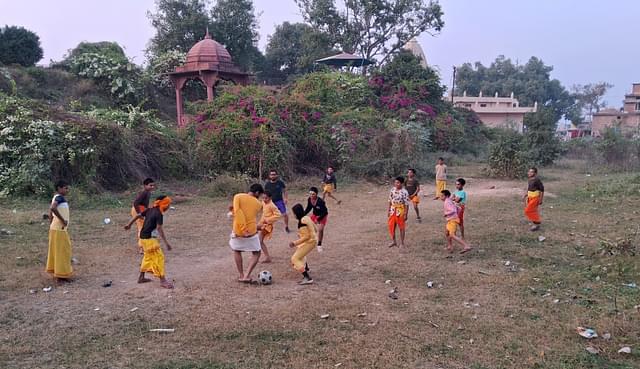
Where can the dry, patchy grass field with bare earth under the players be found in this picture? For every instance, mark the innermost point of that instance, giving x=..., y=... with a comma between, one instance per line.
x=514, y=302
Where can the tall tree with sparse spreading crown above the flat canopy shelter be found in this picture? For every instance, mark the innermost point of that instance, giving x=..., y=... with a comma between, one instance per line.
x=373, y=28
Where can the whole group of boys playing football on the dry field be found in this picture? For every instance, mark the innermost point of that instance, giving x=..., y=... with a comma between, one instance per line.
x=250, y=234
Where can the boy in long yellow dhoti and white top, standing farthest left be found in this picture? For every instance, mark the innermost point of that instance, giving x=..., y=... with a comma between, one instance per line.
x=59, y=255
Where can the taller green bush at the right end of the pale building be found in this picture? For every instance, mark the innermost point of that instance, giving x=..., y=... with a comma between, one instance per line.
x=542, y=145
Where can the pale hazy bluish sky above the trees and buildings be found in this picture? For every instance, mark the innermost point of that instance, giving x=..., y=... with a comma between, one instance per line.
x=584, y=40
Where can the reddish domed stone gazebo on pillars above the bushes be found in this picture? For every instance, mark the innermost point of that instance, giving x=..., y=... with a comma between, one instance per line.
x=210, y=62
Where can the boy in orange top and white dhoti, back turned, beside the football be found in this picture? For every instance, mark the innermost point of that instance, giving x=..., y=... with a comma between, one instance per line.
x=244, y=237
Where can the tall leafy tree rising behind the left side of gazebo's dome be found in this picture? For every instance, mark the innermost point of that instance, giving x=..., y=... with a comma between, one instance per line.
x=179, y=25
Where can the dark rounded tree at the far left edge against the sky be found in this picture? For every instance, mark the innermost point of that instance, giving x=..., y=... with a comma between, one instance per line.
x=19, y=46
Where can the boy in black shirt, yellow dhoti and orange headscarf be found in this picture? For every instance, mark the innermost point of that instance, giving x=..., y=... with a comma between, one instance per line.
x=153, y=259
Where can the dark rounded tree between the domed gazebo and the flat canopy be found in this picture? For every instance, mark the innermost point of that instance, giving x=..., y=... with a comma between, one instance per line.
x=292, y=50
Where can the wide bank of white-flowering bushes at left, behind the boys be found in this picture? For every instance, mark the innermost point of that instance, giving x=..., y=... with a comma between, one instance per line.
x=38, y=146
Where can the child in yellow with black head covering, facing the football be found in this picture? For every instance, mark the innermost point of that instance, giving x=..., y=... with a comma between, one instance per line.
x=304, y=244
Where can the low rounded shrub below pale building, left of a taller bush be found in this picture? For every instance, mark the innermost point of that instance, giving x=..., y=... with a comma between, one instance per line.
x=507, y=155
